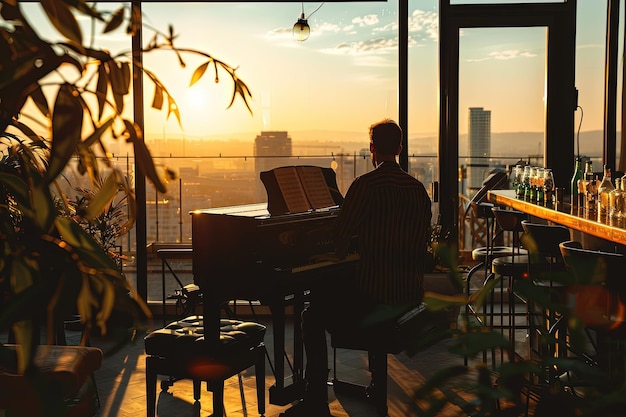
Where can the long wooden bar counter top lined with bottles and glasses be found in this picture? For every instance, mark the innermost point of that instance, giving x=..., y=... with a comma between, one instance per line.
x=563, y=214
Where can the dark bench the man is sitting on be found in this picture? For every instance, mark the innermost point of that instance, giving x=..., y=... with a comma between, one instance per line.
x=393, y=337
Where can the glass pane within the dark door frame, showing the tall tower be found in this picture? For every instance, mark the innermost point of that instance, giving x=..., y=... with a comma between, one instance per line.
x=501, y=100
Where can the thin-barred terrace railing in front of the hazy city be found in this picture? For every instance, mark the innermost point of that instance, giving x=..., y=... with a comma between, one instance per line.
x=218, y=181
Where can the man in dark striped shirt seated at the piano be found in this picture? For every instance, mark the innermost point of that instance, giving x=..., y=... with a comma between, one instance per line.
x=390, y=212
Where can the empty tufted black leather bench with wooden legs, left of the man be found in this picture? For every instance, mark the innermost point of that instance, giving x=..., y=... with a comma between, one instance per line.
x=180, y=351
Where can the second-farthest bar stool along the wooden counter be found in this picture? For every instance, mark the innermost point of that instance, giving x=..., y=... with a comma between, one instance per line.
x=508, y=268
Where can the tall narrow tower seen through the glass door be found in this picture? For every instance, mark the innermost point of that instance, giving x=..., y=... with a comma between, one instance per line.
x=479, y=144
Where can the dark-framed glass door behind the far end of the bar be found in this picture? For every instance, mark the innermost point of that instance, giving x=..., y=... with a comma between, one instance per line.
x=504, y=68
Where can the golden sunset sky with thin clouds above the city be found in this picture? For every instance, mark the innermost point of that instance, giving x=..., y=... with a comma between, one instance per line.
x=344, y=77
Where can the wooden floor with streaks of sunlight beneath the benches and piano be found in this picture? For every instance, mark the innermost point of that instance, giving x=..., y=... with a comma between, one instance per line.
x=121, y=385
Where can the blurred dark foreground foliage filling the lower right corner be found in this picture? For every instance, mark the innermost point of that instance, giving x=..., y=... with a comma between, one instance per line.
x=569, y=385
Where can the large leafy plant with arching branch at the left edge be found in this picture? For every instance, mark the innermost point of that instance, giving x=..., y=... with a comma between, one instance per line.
x=78, y=92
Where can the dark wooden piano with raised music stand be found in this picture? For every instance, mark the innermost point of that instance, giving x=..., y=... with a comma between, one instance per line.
x=261, y=252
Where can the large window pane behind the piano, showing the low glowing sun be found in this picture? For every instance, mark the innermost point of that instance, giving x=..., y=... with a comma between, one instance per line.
x=312, y=101
